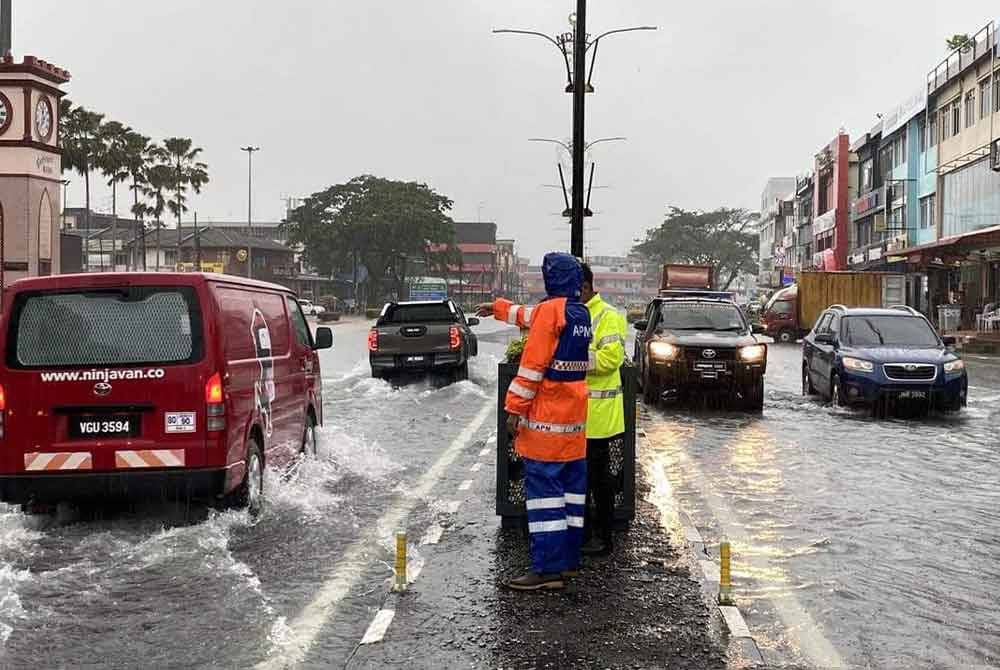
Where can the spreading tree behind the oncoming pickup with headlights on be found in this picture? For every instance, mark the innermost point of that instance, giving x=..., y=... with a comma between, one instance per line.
x=723, y=238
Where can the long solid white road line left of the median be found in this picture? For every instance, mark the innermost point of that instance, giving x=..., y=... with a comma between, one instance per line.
x=309, y=623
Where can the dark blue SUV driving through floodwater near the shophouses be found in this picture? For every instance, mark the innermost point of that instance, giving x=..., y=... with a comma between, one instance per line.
x=882, y=357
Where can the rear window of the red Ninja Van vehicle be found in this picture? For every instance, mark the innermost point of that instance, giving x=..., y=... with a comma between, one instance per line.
x=128, y=326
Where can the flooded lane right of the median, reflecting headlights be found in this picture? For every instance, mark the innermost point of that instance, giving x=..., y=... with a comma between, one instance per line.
x=857, y=543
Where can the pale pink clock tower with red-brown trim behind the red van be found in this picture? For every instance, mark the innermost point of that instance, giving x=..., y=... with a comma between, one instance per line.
x=30, y=167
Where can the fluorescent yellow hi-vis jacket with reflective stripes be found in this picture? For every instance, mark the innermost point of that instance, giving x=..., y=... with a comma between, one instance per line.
x=606, y=407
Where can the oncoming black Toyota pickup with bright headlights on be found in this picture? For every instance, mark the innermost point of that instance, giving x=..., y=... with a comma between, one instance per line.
x=694, y=344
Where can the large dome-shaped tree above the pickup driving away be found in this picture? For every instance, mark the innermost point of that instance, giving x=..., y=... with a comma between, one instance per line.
x=377, y=222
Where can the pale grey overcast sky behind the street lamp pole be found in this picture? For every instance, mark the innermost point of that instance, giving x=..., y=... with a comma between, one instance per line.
x=724, y=95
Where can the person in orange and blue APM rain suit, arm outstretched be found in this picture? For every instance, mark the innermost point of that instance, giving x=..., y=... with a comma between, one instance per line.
x=546, y=406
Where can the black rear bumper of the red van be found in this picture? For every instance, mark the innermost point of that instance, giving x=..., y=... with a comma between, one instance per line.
x=155, y=485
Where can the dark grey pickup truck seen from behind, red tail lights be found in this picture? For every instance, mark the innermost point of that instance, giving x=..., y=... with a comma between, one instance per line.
x=422, y=336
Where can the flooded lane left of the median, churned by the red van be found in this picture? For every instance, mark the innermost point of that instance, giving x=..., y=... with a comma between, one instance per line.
x=172, y=586
